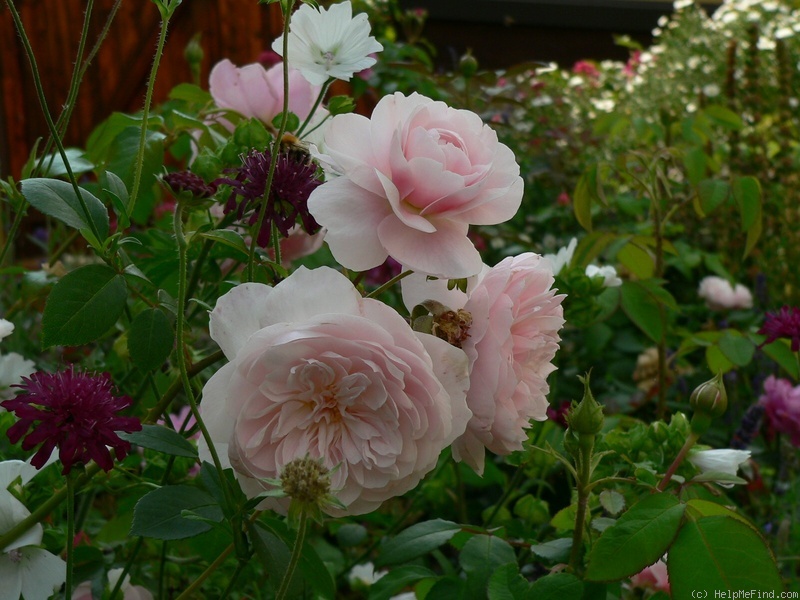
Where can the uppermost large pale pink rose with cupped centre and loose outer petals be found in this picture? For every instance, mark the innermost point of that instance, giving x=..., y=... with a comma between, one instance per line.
x=412, y=179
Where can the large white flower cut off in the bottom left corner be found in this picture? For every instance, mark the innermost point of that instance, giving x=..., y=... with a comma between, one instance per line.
x=24, y=569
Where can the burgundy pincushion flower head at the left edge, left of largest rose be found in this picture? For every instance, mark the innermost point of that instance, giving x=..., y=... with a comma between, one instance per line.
x=76, y=412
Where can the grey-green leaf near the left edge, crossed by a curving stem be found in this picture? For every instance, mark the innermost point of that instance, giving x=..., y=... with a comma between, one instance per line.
x=57, y=199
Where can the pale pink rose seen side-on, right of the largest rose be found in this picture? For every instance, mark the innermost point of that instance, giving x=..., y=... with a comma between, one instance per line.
x=516, y=316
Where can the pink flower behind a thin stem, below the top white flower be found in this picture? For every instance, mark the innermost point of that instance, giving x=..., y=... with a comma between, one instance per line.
x=254, y=91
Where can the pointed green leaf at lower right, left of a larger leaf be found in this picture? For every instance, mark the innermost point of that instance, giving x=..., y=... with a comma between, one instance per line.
x=639, y=538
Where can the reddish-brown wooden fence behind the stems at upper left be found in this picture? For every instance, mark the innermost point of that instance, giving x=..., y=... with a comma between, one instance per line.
x=116, y=79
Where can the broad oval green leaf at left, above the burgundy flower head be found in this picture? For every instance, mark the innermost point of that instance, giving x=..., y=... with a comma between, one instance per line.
x=83, y=305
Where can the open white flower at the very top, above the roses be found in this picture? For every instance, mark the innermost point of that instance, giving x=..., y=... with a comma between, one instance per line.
x=329, y=43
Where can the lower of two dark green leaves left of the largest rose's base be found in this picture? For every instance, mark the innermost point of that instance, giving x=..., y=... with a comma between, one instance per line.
x=157, y=514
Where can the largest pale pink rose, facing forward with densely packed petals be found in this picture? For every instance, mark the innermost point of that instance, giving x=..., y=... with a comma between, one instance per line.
x=316, y=370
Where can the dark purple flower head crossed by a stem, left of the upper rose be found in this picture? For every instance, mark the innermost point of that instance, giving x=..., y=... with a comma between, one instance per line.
x=292, y=183
